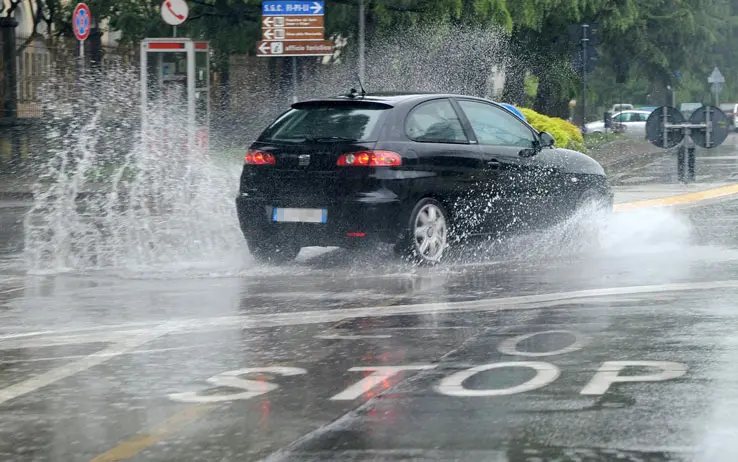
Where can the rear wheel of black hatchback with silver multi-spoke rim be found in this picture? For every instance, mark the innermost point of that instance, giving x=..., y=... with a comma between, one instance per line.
x=427, y=233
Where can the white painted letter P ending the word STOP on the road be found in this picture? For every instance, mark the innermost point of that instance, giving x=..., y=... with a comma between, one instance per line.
x=610, y=370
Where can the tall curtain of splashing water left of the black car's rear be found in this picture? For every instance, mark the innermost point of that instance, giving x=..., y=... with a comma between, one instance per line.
x=111, y=197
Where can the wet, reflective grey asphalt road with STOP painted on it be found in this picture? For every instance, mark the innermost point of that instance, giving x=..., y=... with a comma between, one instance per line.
x=531, y=350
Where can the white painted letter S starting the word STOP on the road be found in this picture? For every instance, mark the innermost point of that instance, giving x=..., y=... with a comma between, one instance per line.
x=232, y=379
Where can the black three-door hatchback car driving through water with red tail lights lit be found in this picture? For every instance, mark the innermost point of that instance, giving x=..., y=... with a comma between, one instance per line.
x=420, y=171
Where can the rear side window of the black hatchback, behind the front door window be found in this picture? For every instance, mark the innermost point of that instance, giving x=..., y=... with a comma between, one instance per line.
x=435, y=122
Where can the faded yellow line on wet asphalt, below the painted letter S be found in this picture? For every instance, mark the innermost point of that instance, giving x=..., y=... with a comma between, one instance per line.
x=133, y=446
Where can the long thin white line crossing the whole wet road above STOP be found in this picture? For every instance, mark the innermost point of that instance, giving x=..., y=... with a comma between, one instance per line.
x=525, y=302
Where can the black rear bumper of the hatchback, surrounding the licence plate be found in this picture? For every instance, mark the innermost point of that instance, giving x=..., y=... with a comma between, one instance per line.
x=375, y=220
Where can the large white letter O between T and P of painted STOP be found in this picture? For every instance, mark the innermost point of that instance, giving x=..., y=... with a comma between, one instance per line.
x=453, y=385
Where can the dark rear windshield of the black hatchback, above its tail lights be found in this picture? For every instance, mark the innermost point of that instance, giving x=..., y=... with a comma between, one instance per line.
x=328, y=120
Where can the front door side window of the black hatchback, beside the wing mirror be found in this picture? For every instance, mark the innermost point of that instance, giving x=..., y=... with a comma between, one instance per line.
x=494, y=126
